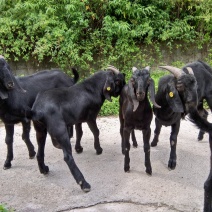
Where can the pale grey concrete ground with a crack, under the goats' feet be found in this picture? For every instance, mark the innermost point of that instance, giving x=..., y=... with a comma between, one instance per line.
x=24, y=189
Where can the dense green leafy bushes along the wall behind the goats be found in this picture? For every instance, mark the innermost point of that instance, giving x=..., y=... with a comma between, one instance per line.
x=95, y=33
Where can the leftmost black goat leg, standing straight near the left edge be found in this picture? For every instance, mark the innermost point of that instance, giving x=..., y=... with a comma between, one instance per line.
x=9, y=141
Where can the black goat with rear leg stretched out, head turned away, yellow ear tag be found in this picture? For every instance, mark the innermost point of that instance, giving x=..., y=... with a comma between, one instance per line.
x=70, y=106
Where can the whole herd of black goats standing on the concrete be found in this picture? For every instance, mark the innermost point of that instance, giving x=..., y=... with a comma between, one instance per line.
x=49, y=99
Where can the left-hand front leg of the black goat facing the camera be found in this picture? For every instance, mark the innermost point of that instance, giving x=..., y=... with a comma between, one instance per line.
x=126, y=137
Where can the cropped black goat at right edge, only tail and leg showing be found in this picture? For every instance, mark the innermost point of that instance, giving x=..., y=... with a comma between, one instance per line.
x=205, y=126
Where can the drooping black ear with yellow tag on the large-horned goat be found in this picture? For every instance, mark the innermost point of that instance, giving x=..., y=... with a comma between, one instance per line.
x=173, y=99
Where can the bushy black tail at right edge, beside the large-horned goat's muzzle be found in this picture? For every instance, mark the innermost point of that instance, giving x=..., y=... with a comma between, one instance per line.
x=199, y=121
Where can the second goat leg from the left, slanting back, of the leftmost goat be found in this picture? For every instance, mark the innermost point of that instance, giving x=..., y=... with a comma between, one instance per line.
x=26, y=138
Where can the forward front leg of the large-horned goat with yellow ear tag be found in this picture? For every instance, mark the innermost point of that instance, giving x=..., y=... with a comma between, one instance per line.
x=173, y=144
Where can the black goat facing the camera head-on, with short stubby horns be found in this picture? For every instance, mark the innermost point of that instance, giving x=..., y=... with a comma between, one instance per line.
x=135, y=112
